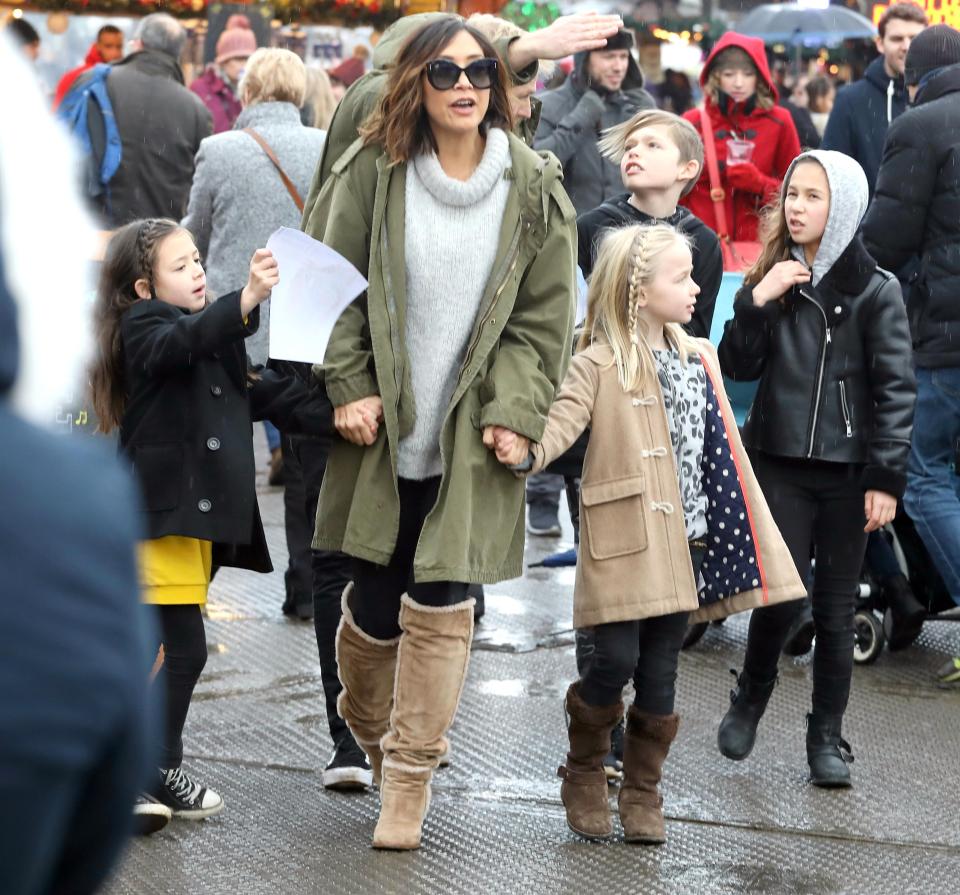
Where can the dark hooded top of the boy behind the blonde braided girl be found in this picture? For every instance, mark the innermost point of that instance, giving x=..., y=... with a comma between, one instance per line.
x=707, y=258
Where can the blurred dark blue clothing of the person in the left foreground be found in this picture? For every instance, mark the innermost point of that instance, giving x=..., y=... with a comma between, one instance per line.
x=74, y=653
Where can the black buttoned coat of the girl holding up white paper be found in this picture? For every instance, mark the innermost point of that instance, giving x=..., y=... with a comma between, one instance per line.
x=187, y=424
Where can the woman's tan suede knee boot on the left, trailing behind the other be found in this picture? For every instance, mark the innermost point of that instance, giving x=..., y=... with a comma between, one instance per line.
x=367, y=668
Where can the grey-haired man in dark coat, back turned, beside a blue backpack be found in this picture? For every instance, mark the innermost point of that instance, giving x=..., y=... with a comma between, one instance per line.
x=161, y=124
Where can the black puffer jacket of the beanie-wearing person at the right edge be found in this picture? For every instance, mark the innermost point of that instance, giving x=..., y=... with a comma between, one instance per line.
x=916, y=211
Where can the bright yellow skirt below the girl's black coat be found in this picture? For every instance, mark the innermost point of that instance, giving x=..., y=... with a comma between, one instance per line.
x=175, y=570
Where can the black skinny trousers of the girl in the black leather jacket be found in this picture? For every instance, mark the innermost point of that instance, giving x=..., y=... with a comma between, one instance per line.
x=819, y=505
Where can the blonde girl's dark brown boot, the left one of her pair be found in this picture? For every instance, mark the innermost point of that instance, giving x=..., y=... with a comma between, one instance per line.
x=584, y=788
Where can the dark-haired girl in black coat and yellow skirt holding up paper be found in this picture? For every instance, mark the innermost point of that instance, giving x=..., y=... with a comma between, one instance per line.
x=171, y=374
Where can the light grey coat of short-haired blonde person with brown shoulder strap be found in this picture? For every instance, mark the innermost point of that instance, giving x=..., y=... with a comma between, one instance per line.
x=238, y=198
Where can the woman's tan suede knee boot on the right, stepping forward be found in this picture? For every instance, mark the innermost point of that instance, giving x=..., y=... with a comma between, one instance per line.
x=431, y=670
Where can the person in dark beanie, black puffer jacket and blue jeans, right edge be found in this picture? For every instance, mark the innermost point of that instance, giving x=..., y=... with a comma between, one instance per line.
x=916, y=212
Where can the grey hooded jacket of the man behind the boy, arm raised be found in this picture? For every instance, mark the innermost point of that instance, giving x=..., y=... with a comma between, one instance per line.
x=571, y=119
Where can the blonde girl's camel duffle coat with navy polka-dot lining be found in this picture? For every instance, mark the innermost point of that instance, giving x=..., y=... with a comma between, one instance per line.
x=634, y=559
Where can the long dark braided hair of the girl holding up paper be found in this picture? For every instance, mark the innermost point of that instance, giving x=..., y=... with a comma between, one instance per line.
x=131, y=256
